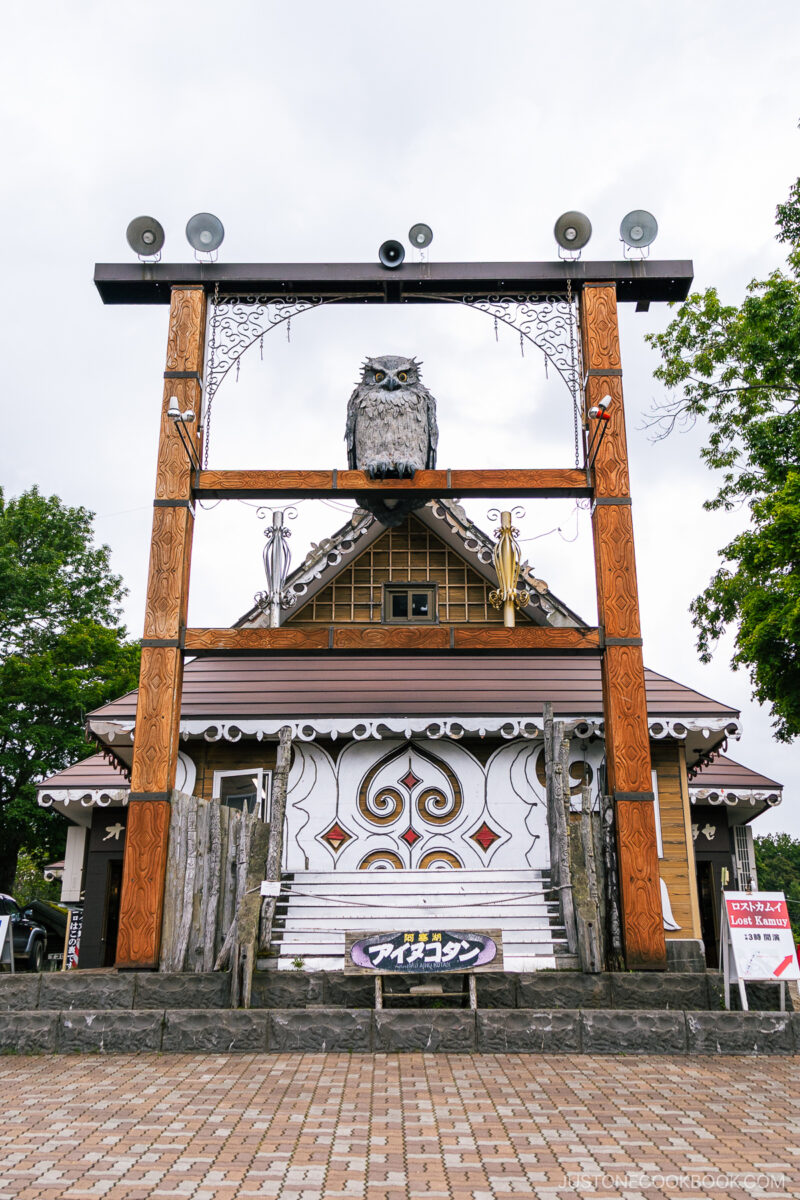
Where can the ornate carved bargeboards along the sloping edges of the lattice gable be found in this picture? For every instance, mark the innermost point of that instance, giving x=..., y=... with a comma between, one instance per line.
x=449, y=521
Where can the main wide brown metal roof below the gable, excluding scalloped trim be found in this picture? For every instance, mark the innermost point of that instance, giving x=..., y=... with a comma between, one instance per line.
x=420, y=685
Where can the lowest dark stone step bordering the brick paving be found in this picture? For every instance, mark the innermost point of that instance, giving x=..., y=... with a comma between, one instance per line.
x=358, y=1030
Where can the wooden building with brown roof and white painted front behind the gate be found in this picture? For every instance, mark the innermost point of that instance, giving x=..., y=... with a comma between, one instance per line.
x=418, y=760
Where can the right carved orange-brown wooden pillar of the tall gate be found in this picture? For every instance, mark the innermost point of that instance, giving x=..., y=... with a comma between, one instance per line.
x=628, y=741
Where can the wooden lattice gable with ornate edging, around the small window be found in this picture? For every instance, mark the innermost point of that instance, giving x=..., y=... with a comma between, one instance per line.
x=344, y=575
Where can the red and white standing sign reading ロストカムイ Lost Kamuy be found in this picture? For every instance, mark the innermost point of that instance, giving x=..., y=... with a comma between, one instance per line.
x=761, y=937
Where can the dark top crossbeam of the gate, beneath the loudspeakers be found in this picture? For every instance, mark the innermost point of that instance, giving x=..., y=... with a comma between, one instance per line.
x=637, y=281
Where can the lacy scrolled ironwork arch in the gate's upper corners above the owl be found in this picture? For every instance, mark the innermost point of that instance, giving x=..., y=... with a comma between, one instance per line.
x=550, y=322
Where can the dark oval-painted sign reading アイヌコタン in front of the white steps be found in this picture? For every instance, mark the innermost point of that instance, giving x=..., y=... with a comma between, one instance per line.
x=424, y=951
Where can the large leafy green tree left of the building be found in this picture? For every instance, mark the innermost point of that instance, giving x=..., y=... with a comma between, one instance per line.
x=63, y=652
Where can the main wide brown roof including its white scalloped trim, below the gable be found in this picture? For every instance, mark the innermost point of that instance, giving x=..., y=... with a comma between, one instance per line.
x=436, y=695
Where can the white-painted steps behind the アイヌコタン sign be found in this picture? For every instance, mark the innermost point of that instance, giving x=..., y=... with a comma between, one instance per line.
x=317, y=910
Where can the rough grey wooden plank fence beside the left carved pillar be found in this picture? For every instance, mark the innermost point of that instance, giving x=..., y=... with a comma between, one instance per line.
x=212, y=850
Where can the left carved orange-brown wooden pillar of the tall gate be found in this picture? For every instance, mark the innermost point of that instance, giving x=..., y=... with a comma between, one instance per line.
x=155, y=745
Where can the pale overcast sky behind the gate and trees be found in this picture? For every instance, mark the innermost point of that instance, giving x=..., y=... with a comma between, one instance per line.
x=316, y=131
